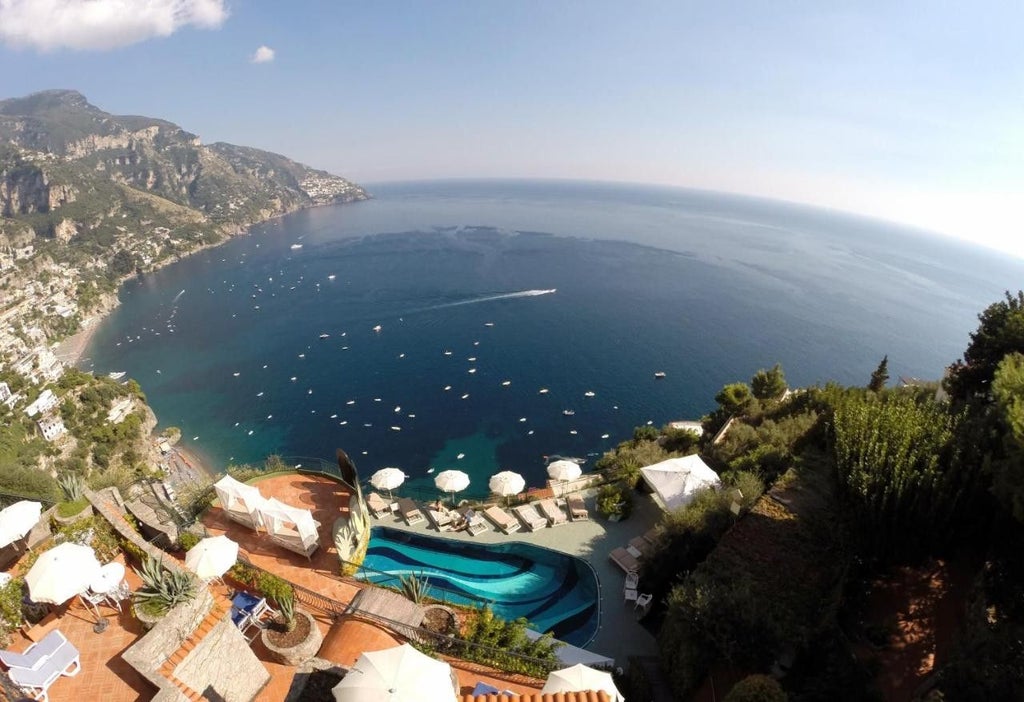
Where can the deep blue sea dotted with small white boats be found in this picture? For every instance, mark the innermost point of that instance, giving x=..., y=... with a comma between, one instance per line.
x=488, y=326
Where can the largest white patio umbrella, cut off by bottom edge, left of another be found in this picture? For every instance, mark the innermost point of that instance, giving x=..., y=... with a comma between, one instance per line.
x=399, y=675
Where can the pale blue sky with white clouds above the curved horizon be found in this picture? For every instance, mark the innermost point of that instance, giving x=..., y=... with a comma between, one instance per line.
x=911, y=112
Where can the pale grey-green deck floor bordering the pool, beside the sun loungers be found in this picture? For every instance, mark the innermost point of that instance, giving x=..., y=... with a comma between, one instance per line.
x=620, y=636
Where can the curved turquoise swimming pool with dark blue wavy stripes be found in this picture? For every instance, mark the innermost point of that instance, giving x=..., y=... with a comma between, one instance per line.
x=553, y=592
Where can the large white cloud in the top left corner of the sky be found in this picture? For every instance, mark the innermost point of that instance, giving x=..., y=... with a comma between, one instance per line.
x=50, y=25
